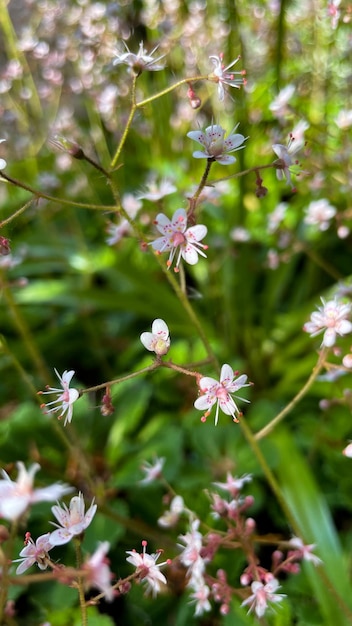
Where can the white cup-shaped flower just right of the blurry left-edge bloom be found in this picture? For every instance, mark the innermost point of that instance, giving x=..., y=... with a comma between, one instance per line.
x=72, y=521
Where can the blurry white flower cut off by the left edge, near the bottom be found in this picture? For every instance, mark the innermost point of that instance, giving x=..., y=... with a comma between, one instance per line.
x=17, y=496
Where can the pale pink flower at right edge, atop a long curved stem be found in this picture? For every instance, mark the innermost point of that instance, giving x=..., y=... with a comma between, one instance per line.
x=330, y=318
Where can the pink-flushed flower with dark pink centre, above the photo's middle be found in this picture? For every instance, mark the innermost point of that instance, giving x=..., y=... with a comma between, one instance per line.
x=178, y=238
